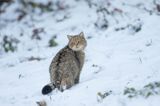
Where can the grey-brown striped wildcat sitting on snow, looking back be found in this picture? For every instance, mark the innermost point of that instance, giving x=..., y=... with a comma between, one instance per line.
x=66, y=66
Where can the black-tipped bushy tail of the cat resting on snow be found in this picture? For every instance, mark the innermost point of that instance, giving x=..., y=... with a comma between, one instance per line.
x=48, y=88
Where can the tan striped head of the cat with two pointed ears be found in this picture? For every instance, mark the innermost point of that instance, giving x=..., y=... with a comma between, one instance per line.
x=77, y=42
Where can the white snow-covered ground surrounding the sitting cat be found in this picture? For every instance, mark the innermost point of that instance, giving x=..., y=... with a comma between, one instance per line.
x=122, y=53
